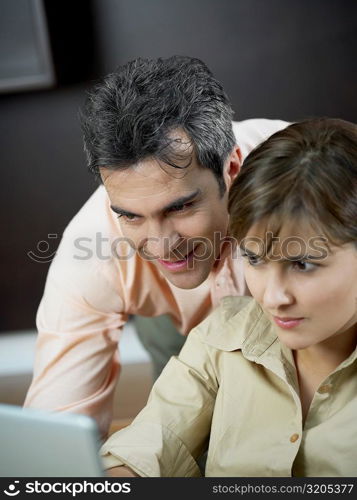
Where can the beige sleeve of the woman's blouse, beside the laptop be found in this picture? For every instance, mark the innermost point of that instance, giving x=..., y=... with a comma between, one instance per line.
x=172, y=431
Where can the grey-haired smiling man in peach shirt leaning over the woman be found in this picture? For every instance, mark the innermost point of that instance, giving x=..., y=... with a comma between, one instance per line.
x=158, y=134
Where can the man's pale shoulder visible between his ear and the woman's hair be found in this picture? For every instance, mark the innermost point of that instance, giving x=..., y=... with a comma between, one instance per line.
x=250, y=133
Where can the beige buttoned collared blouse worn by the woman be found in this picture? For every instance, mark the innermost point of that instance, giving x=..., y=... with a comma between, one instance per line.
x=234, y=389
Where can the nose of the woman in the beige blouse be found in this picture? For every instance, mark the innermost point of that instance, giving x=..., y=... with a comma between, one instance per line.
x=277, y=292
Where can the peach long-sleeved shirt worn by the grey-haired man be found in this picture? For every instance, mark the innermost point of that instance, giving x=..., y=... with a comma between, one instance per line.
x=94, y=282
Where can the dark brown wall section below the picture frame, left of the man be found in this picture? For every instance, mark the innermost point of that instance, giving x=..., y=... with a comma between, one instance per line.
x=43, y=183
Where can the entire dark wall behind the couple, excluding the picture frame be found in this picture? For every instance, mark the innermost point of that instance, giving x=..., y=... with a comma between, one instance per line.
x=276, y=58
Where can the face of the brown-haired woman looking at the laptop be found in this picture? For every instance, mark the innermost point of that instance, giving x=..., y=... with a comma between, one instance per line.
x=309, y=292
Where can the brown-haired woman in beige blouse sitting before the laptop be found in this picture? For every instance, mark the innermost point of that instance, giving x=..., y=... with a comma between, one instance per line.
x=268, y=384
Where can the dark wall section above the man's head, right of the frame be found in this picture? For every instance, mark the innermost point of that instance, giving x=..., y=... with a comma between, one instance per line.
x=276, y=58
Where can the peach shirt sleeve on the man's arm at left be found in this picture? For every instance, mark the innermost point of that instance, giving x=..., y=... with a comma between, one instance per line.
x=79, y=321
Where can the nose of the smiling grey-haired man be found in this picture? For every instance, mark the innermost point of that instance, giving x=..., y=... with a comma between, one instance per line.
x=161, y=242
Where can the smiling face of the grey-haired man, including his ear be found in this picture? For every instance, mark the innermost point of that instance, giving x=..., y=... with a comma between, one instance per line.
x=173, y=217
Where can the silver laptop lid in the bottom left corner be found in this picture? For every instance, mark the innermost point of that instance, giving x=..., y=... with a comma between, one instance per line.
x=36, y=443
